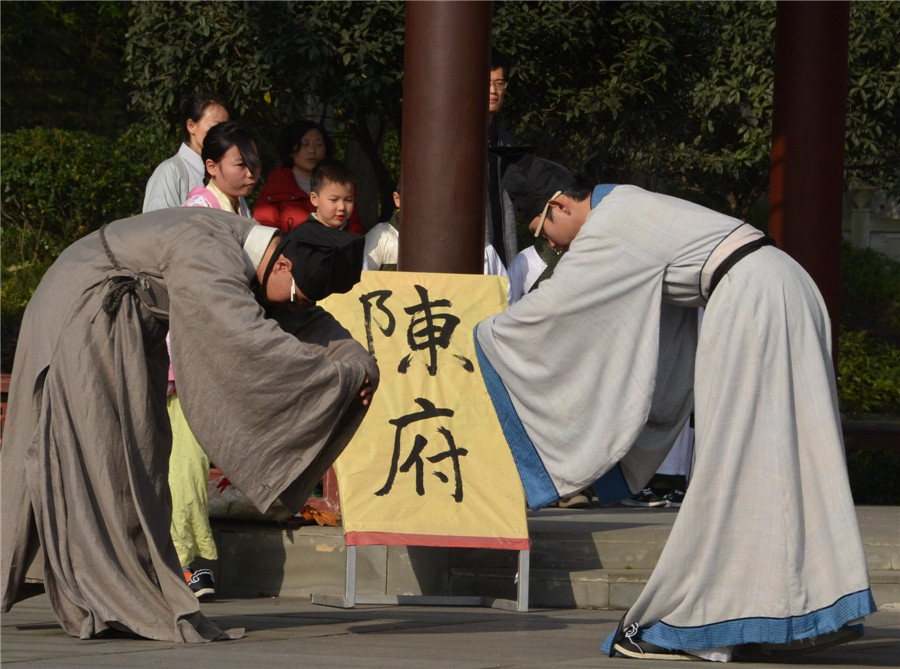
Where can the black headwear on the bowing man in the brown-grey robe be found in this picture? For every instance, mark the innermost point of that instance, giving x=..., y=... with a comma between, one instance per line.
x=323, y=260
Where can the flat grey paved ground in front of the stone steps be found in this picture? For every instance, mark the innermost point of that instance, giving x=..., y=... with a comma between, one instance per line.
x=287, y=632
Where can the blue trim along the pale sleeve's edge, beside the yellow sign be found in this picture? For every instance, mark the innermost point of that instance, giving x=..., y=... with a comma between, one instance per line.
x=539, y=488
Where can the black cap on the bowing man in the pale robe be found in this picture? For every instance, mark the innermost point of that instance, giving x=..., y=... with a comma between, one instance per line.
x=532, y=181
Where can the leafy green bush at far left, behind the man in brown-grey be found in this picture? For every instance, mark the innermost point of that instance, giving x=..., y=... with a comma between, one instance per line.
x=58, y=186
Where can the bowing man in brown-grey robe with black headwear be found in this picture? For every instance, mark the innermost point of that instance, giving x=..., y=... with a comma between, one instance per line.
x=86, y=506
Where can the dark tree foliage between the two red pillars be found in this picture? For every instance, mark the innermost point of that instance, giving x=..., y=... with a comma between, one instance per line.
x=666, y=95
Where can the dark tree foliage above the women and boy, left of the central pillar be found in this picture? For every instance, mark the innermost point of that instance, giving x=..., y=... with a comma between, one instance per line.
x=275, y=62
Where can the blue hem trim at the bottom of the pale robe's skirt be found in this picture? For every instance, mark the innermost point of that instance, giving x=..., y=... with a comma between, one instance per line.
x=759, y=630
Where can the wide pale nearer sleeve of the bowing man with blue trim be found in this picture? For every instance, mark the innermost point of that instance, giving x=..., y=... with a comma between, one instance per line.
x=578, y=358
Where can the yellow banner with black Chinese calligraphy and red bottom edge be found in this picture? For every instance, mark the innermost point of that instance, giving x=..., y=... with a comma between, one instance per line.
x=429, y=466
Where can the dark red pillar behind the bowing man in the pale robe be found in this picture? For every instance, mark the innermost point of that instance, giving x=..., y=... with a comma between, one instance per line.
x=807, y=180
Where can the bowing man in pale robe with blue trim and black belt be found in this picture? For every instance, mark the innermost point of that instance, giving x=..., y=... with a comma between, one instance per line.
x=594, y=374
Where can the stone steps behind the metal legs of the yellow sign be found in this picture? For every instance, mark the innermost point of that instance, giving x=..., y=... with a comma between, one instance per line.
x=595, y=558
